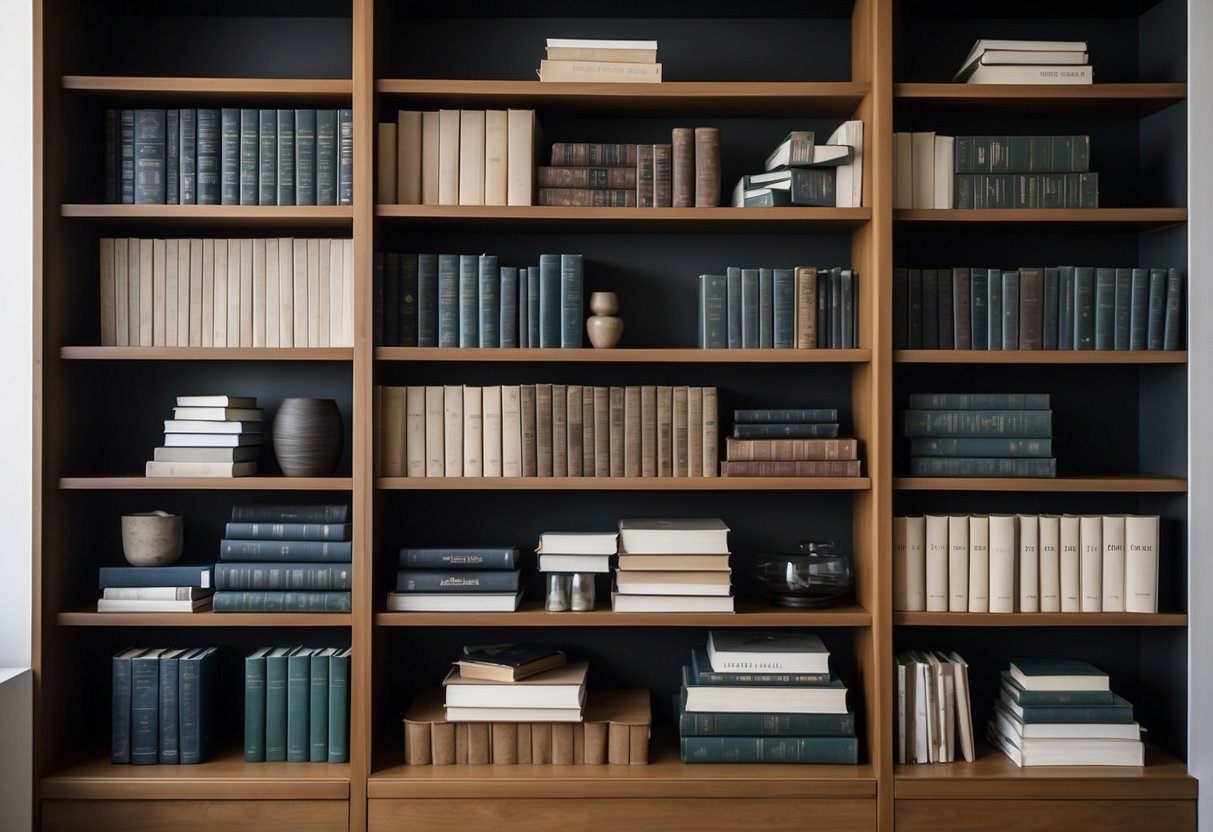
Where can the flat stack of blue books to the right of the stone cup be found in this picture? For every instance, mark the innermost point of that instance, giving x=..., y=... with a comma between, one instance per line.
x=286, y=559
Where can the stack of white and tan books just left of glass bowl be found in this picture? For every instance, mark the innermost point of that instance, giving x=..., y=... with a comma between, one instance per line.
x=680, y=566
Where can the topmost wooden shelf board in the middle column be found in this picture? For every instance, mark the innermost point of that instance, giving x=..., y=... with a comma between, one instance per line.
x=818, y=100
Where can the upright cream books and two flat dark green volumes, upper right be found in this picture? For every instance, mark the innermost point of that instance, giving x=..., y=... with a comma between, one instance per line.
x=936, y=172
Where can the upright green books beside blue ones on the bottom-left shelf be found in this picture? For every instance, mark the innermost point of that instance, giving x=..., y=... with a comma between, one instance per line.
x=297, y=705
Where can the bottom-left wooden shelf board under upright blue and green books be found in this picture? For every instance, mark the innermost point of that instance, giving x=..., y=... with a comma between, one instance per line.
x=226, y=777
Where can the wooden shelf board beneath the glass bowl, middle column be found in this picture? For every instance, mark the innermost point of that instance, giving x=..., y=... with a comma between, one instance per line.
x=751, y=613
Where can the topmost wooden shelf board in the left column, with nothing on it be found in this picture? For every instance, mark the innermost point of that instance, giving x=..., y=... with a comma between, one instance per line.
x=150, y=88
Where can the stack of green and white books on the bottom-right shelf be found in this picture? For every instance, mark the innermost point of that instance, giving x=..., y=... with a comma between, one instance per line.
x=1063, y=713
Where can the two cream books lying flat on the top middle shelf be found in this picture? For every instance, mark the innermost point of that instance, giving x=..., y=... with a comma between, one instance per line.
x=601, y=61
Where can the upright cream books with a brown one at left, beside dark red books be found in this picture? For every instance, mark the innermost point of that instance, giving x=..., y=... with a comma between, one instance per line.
x=454, y=157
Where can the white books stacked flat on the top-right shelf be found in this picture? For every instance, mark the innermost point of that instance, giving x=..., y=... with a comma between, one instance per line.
x=994, y=61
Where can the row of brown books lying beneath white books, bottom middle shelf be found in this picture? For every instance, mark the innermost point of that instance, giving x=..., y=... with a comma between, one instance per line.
x=616, y=731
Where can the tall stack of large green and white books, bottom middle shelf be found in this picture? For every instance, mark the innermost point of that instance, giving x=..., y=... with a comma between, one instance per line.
x=765, y=698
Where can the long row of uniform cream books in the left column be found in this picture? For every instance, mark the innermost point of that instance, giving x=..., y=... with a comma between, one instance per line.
x=227, y=293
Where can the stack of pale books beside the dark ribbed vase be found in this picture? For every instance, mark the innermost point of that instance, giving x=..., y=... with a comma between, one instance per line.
x=209, y=436
